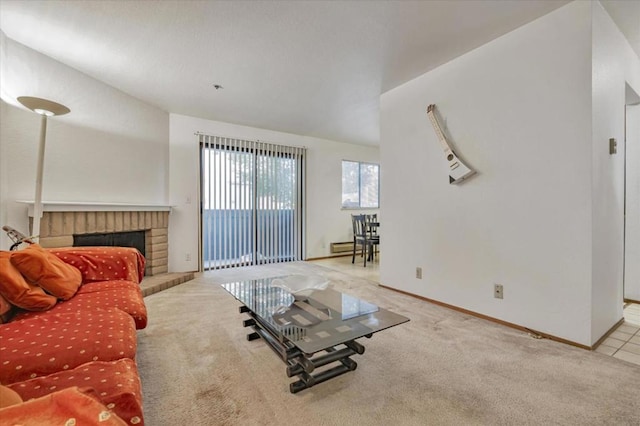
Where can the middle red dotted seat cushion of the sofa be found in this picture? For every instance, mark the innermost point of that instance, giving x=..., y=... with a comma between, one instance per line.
x=52, y=342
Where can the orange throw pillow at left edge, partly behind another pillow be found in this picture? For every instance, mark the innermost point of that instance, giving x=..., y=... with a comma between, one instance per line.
x=18, y=291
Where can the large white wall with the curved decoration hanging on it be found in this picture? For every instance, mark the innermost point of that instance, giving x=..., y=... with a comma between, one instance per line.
x=519, y=111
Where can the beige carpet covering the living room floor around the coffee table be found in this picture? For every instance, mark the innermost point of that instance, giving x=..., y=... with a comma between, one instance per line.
x=441, y=368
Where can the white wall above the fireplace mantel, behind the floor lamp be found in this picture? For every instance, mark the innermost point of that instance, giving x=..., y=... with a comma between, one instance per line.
x=111, y=147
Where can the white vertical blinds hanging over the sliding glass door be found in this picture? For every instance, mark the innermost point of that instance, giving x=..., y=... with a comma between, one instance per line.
x=252, y=202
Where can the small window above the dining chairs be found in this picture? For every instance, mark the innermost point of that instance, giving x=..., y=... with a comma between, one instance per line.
x=360, y=185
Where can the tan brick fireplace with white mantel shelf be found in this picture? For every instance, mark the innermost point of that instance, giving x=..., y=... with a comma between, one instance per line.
x=62, y=223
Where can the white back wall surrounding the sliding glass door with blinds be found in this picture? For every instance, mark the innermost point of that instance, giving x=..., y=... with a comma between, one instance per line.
x=326, y=221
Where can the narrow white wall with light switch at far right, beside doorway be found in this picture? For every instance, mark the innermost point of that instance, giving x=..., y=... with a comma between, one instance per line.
x=614, y=64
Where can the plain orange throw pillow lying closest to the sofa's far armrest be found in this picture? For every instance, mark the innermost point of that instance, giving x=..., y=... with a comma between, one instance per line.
x=48, y=271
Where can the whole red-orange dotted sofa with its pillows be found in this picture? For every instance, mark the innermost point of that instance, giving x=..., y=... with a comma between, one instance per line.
x=68, y=321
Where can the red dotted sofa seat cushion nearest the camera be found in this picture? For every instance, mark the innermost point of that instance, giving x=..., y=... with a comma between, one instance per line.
x=115, y=383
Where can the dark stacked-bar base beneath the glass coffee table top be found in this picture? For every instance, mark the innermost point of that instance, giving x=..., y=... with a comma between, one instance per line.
x=300, y=364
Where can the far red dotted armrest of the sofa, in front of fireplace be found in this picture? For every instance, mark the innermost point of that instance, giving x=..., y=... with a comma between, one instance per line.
x=104, y=263
